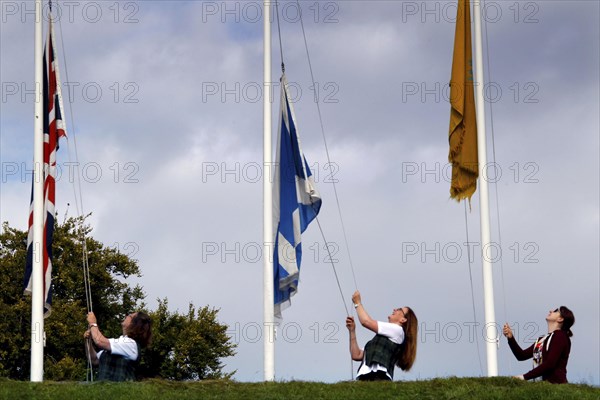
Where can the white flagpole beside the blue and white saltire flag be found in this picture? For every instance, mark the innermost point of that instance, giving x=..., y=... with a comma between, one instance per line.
x=268, y=290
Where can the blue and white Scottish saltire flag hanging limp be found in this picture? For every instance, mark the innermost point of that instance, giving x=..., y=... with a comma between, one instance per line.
x=296, y=202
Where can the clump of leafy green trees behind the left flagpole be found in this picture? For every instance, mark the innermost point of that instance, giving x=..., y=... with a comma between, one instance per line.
x=112, y=299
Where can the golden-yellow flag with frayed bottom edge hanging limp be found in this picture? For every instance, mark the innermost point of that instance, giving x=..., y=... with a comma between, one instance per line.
x=463, y=125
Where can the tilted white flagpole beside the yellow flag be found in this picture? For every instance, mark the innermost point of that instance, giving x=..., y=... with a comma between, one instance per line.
x=491, y=332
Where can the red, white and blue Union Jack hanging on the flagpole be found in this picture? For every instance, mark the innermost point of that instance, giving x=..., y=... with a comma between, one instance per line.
x=54, y=128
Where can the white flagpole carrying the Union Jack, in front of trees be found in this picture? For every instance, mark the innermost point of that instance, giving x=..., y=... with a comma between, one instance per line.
x=37, y=295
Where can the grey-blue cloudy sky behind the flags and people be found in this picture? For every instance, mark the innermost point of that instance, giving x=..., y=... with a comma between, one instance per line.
x=166, y=103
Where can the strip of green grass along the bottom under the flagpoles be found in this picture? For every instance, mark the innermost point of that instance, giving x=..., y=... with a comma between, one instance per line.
x=448, y=388
